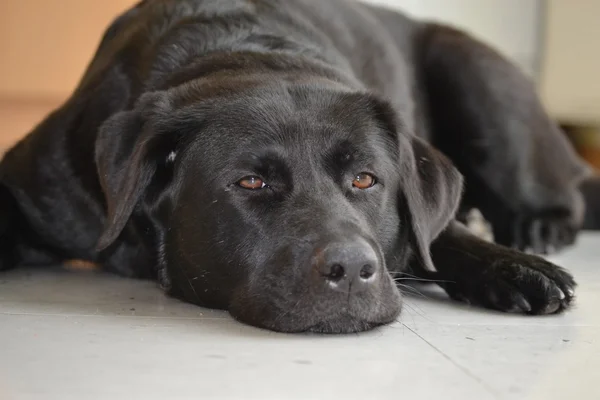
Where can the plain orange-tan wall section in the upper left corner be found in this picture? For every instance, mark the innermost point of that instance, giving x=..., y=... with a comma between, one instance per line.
x=46, y=44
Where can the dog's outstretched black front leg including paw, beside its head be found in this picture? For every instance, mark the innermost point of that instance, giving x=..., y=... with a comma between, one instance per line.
x=482, y=273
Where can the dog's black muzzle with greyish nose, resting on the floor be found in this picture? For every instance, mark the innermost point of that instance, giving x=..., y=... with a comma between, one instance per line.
x=340, y=287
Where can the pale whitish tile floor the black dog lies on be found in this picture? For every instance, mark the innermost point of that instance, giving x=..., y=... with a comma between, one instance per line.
x=84, y=335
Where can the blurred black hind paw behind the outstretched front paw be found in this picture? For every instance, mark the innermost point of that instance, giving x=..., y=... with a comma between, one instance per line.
x=537, y=233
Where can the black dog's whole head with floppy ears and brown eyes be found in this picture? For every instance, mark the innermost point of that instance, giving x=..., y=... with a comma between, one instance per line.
x=285, y=203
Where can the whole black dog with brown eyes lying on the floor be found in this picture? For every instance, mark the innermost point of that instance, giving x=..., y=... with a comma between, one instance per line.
x=276, y=158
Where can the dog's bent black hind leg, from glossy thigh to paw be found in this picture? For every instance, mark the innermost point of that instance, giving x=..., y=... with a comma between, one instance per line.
x=520, y=170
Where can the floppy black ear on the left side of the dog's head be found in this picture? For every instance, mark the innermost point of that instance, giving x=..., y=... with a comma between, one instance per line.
x=128, y=151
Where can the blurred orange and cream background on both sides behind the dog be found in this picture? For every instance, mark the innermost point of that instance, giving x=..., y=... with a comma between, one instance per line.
x=45, y=46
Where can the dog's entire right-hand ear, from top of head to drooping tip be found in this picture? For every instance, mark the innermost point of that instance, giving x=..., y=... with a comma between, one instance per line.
x=430, y=186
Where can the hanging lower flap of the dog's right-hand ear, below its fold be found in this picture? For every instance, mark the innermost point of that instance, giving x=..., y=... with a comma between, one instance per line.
x=432, y=190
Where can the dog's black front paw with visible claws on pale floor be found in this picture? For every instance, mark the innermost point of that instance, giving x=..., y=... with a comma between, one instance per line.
x=517, y=283
